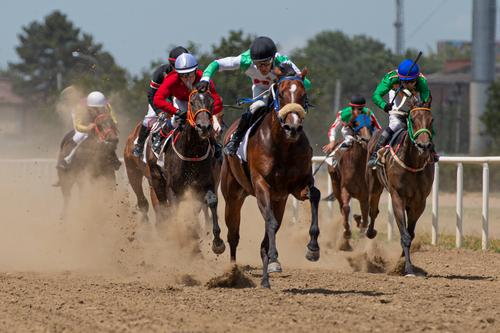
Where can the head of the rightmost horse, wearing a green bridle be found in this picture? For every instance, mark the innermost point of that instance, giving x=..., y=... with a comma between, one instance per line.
x=420, y=123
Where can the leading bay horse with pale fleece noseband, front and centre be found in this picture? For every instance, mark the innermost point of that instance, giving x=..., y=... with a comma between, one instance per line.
x=279, y=163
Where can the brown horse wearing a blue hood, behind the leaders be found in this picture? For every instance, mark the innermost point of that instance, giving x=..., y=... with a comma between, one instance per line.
x=348, y=177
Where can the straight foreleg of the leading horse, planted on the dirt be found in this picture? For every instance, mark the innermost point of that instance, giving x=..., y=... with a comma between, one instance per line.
x=262, y=193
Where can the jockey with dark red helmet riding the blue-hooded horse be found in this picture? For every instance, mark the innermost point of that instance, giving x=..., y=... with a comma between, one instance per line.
x=346, y=116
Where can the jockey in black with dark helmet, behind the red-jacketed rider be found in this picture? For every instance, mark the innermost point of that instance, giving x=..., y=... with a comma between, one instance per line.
x=159, y=74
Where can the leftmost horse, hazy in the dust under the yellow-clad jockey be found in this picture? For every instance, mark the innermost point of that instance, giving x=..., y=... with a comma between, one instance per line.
x=94, y=157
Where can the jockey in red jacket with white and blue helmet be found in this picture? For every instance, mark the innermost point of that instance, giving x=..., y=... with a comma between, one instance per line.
x=179, y=84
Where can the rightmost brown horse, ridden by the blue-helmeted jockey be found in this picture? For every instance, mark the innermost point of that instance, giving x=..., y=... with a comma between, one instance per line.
x=407, y=175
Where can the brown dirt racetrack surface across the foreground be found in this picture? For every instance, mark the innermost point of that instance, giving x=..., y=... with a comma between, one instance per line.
x=462, y=294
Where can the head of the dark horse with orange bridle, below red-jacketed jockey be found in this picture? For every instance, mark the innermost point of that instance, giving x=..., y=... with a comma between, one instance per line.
x=200, y=109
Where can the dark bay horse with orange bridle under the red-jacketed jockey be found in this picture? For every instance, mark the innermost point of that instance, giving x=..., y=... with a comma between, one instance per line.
x=189, y=164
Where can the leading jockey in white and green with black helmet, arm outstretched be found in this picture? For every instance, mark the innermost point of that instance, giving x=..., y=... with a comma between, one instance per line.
x=257, y=63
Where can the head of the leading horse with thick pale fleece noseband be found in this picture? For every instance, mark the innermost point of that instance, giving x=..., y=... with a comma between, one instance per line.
x=290, y=100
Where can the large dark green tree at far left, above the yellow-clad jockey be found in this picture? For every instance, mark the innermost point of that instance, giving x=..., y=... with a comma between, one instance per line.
x=46, y=53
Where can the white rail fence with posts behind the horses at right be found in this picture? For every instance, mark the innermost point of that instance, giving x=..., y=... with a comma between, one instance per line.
x=460, y=161
